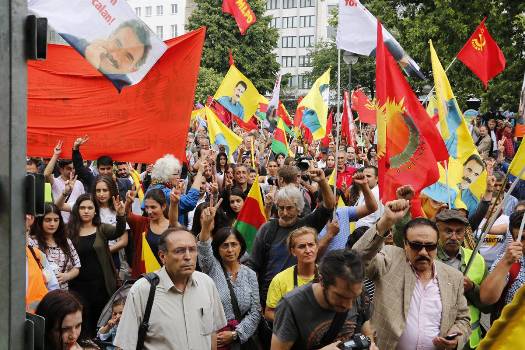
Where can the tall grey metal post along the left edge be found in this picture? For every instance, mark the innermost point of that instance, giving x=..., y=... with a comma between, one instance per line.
x=13, y=102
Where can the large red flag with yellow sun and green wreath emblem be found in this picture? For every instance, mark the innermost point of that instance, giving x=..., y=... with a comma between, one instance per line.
x=409, y=145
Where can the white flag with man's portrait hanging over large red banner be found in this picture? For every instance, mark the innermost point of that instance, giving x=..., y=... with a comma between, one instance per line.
x=107, y=33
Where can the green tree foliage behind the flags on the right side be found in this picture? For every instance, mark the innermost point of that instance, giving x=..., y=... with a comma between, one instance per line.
x=449, y=24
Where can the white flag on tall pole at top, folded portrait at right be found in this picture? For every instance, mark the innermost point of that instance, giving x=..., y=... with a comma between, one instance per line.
x=357, y=33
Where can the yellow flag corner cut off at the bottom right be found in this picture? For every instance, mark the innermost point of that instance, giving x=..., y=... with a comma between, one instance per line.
x=508, y=332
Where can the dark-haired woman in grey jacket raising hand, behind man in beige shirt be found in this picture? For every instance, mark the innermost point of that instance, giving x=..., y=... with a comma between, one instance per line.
x=236, y=283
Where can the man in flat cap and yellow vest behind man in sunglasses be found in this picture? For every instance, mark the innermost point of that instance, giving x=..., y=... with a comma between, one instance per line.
x=452, y=224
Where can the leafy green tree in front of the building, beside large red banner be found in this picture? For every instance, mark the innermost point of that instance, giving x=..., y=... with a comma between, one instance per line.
x=253, y=52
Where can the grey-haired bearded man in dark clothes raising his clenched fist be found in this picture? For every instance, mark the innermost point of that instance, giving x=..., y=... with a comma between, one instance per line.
x=270, y=254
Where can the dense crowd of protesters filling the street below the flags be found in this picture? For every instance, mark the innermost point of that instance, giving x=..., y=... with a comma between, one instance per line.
x=324, y=270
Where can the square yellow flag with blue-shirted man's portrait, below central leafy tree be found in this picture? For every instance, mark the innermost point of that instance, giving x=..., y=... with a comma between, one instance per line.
x=237, y=94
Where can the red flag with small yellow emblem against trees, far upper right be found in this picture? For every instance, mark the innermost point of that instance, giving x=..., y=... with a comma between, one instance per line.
x=482, y=55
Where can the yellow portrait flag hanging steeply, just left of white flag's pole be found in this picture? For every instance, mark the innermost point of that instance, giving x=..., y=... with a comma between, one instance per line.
x=315, y=105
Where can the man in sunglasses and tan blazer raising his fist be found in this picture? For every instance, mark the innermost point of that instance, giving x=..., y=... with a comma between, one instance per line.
x=419, y=300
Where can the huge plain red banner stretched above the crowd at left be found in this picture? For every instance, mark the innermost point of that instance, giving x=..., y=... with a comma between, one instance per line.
x=68, y=98
